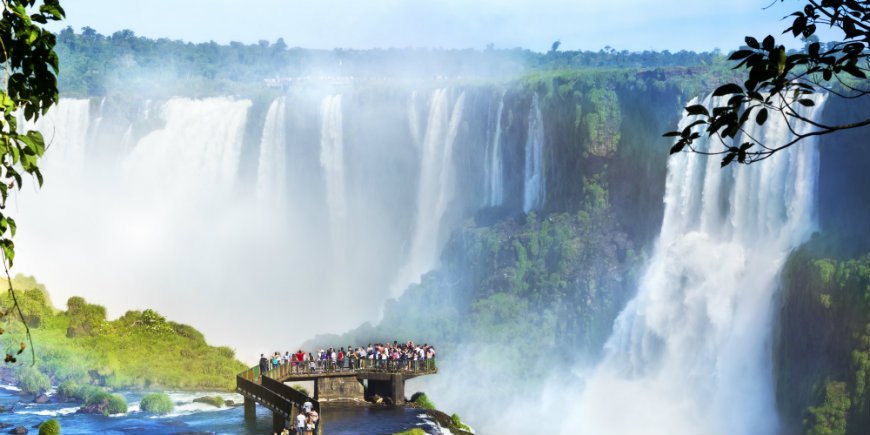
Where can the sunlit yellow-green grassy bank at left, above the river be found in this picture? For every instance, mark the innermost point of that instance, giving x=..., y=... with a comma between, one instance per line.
x=80, y=347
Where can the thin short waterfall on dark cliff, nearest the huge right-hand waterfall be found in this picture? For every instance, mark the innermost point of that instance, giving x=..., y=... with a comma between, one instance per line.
x=533, y=174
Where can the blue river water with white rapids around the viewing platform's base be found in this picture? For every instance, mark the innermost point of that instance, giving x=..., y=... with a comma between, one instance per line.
x=190, y=417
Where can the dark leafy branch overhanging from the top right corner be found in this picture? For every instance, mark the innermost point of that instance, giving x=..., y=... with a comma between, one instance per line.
x=780, y=82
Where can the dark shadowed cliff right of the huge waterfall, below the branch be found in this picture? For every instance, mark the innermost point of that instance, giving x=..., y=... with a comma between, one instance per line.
x=822, y=340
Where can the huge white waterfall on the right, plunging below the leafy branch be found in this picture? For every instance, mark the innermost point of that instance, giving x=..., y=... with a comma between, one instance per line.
x=691, y=353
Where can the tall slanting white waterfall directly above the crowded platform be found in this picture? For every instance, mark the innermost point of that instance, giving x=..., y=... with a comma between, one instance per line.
x=436, y=188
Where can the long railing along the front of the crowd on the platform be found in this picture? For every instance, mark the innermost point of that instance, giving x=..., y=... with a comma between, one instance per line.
x=290, y=369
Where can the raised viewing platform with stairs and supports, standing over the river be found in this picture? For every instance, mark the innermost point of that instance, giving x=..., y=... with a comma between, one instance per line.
x=361, y=382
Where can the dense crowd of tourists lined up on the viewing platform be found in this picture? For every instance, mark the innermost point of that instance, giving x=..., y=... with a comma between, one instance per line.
x=385, y=356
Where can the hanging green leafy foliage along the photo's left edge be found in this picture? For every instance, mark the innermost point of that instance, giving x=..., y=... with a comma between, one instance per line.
x=30, y=67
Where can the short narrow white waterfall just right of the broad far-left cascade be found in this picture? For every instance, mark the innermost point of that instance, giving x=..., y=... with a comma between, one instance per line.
x=271, y=170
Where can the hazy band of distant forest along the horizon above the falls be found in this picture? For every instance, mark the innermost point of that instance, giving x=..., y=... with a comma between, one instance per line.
x=125, y=64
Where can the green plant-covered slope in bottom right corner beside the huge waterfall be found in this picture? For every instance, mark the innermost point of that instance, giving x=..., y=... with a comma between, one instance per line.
x=824, y=341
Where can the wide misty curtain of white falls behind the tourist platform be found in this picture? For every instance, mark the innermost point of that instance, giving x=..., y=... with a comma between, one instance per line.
x=330, y=199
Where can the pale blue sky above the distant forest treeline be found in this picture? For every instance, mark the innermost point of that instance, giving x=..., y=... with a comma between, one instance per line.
x=534, y=24
